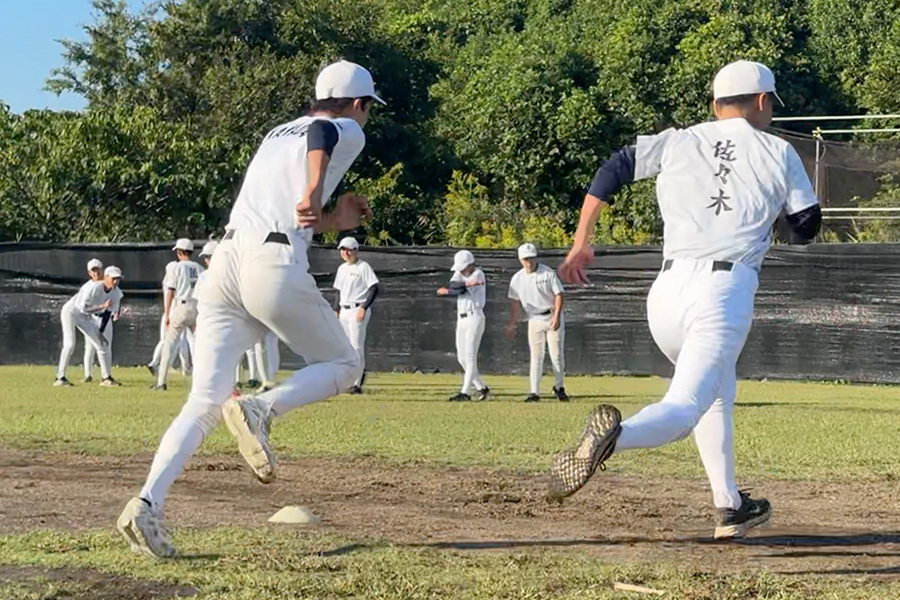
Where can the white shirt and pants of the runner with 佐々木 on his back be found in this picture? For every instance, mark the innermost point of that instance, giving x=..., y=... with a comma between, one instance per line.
x=720, y=187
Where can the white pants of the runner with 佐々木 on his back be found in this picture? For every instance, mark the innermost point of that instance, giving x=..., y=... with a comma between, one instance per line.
x=700, y=319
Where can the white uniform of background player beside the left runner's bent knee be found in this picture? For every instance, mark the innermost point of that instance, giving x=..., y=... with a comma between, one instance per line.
x=353, y=283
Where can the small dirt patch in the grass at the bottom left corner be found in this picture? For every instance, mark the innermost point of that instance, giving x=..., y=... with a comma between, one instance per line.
x=87, y=584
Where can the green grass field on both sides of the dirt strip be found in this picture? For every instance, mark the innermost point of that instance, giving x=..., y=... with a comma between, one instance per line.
x=787, y=431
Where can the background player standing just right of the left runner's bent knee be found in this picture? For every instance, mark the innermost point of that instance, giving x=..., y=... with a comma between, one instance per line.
x=357, y=287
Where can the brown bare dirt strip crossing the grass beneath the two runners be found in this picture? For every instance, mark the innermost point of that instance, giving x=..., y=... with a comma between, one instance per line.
x=841, y=528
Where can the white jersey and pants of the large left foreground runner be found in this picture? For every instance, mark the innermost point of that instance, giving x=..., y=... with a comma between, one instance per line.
x=259, y=282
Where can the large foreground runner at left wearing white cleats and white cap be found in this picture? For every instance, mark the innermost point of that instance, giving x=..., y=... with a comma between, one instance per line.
x=259, y=281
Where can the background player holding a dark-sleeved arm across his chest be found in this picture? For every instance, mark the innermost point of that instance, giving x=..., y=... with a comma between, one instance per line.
x=469, y=286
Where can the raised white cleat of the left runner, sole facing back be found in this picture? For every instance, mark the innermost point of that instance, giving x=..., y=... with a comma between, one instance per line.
x=248, y=422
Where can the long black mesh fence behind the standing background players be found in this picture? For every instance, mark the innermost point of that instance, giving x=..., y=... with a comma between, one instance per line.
x=823, y=311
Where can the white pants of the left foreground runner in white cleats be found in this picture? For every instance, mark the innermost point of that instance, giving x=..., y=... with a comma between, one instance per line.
x=250, y=288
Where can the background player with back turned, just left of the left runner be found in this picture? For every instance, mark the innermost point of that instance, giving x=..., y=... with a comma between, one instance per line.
x=180, y=309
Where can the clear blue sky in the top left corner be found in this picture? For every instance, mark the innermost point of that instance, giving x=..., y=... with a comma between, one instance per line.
x=29, y=50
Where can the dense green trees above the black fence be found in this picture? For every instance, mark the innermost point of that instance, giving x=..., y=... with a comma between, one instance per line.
x=499, y=110
